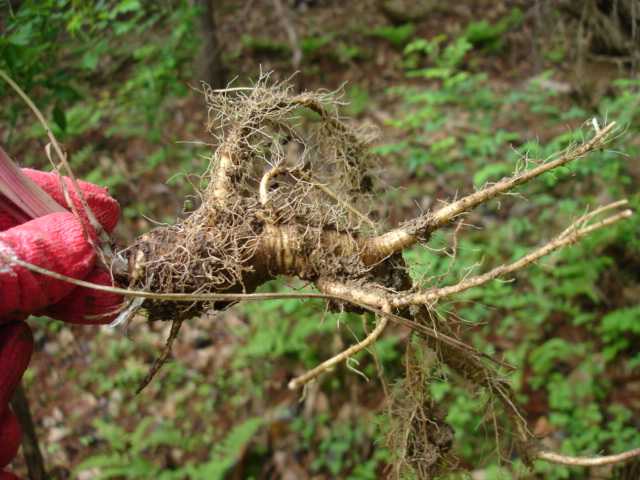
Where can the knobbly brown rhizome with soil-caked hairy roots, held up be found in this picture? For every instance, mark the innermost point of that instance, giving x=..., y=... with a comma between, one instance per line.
x=278, y=202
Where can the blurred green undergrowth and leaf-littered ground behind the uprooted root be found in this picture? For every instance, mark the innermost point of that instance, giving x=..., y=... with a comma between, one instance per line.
x=457, y=107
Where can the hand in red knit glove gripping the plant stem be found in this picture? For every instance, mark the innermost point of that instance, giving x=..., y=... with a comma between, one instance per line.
x=57, y=242
